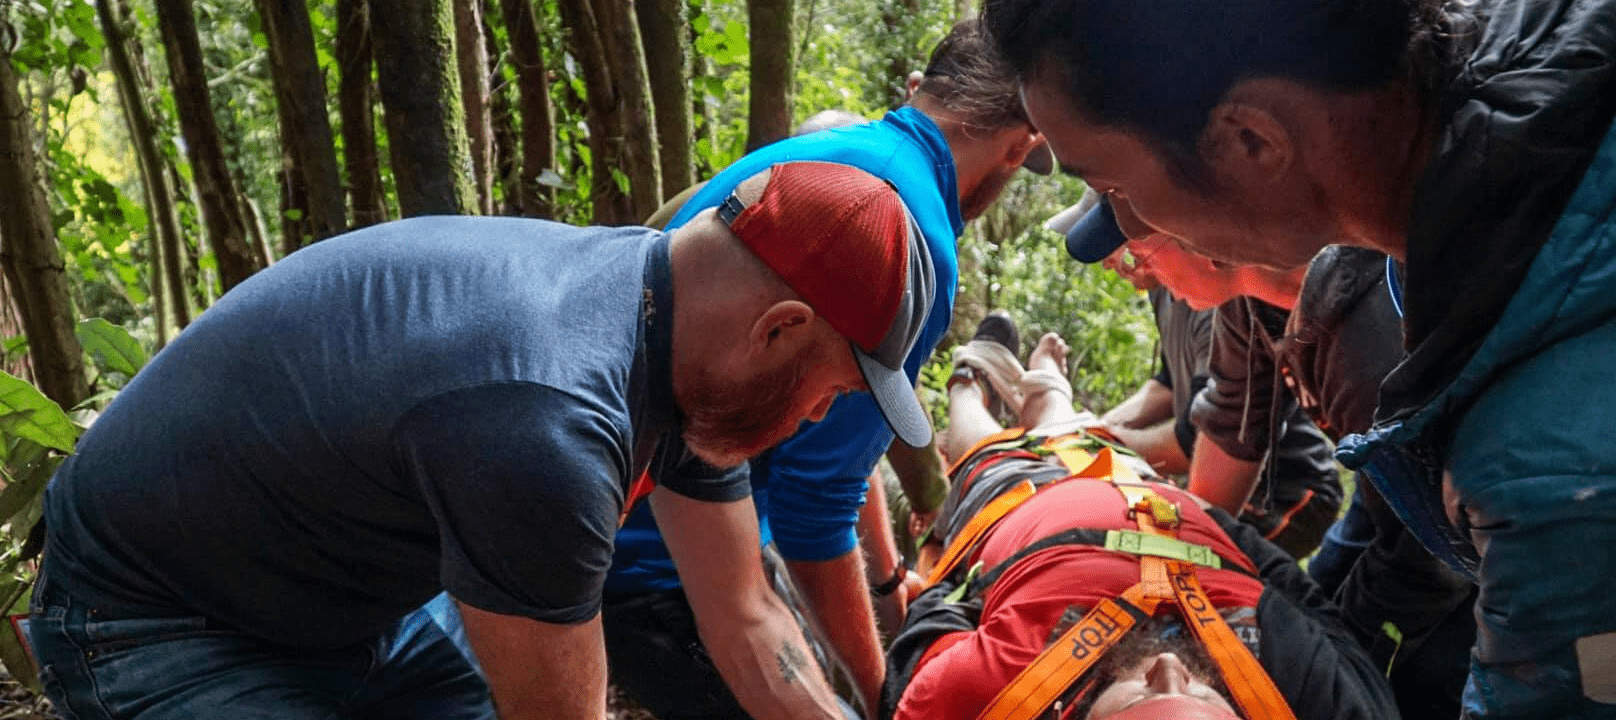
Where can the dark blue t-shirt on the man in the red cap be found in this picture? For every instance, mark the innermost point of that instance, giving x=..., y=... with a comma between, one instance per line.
x=431, y=404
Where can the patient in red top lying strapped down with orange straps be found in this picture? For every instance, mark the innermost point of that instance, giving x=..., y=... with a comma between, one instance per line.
x=1043, y=603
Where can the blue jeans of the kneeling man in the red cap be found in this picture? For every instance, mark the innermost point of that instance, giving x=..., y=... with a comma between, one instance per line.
x=101, y=666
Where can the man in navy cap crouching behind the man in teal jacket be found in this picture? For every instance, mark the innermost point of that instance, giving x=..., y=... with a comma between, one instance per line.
x=1290, y=493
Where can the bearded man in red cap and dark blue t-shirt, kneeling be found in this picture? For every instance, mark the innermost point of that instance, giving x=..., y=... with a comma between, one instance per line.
x=465, y=404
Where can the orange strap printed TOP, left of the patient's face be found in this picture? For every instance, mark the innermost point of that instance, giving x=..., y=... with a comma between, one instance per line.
x=1069, y=658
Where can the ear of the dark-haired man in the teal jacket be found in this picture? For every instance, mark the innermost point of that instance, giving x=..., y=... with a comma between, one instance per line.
x=1247, y=140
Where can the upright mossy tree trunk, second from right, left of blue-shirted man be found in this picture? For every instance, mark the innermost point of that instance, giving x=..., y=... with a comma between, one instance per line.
x=663, y=28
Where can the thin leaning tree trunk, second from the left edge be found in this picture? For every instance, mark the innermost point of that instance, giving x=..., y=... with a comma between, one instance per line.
x=169, y=293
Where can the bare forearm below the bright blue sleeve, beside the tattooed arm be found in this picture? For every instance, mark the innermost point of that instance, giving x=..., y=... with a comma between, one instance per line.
x=840, y=598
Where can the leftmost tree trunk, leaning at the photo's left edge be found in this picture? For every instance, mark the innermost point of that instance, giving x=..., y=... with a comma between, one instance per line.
x=35, y=272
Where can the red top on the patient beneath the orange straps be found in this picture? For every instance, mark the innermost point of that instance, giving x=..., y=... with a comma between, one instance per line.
x=964, y=672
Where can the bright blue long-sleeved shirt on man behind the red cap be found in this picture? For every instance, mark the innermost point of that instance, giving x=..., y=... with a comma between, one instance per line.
x=809, y=490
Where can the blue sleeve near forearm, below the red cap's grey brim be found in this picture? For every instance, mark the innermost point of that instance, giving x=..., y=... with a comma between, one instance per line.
x=819, y=479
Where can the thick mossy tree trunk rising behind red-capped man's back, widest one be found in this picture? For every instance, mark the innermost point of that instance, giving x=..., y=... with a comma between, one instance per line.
x=421, y=103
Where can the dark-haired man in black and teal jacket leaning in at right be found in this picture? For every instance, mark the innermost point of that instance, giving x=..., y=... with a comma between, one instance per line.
x=1475, y=144
